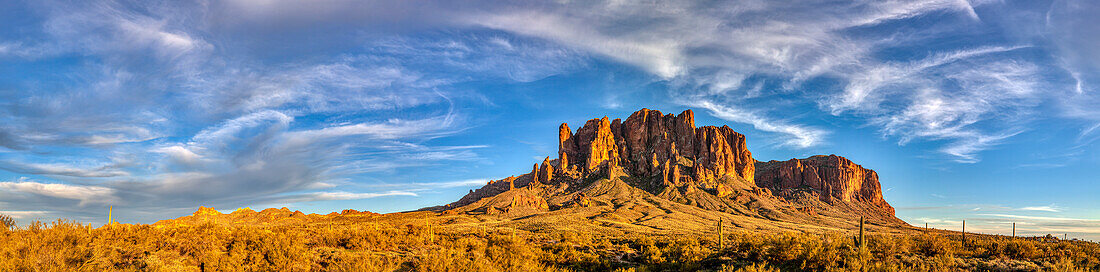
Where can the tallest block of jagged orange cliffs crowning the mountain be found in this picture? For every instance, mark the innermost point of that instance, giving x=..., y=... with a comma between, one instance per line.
x=647, y=138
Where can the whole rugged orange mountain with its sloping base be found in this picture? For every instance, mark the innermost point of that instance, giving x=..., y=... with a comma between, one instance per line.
x=656, y=170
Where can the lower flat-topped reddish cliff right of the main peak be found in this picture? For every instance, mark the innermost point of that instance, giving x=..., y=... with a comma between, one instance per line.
x=835, y=178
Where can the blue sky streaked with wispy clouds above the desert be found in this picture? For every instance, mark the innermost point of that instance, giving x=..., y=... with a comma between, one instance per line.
x=986, y=112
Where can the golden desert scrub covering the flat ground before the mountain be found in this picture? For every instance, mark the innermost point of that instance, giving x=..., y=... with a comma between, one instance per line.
x=426, y=242
